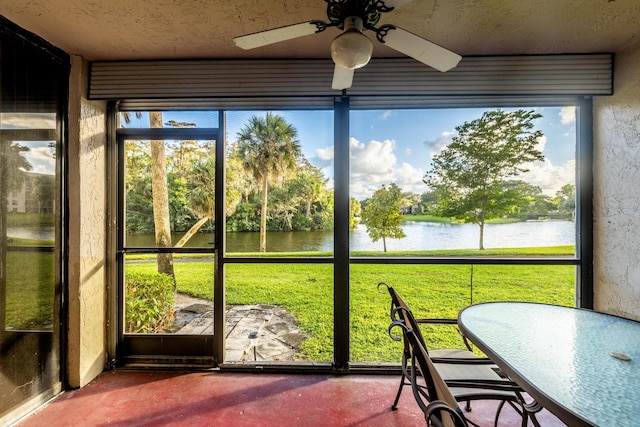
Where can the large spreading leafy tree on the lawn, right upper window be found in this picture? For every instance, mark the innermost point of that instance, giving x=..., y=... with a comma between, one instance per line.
x=470, y=175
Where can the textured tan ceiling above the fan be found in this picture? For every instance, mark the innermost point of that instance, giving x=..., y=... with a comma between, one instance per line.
x=158, y=29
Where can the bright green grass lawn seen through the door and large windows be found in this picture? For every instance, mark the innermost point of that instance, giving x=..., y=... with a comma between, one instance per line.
x=440, y=291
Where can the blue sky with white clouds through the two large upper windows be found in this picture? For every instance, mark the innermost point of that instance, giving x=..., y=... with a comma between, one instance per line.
x=398, y=145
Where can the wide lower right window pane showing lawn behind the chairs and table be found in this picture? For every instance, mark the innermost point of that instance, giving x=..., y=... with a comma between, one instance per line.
x=440, y=292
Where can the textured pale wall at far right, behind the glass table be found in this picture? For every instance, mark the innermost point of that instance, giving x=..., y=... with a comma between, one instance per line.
x=617, y=191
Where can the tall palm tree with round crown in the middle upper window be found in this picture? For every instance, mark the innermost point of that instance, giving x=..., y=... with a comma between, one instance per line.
x=267, y=148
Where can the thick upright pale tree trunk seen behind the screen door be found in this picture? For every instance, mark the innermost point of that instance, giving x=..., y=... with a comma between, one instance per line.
x=160, y=194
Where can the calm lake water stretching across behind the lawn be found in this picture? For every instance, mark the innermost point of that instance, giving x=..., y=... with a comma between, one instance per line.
x=420, y=236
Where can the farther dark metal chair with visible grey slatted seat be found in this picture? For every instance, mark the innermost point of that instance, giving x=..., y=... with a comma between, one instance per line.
x=467, y=376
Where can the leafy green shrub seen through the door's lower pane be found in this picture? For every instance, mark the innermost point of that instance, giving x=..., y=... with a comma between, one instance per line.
x=149, y=302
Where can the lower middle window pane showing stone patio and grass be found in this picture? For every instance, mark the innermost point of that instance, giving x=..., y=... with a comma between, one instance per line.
x=279, y=312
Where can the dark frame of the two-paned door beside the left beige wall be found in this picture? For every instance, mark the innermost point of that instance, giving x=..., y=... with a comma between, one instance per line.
x=160, y=349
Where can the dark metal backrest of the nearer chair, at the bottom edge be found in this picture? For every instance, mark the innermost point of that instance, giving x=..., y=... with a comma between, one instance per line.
x=437, y=389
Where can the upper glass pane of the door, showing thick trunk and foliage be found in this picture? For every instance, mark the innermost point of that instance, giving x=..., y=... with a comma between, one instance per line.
x=187, y=208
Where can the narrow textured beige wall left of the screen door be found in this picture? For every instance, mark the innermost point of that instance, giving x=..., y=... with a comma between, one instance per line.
x=87, y=215
